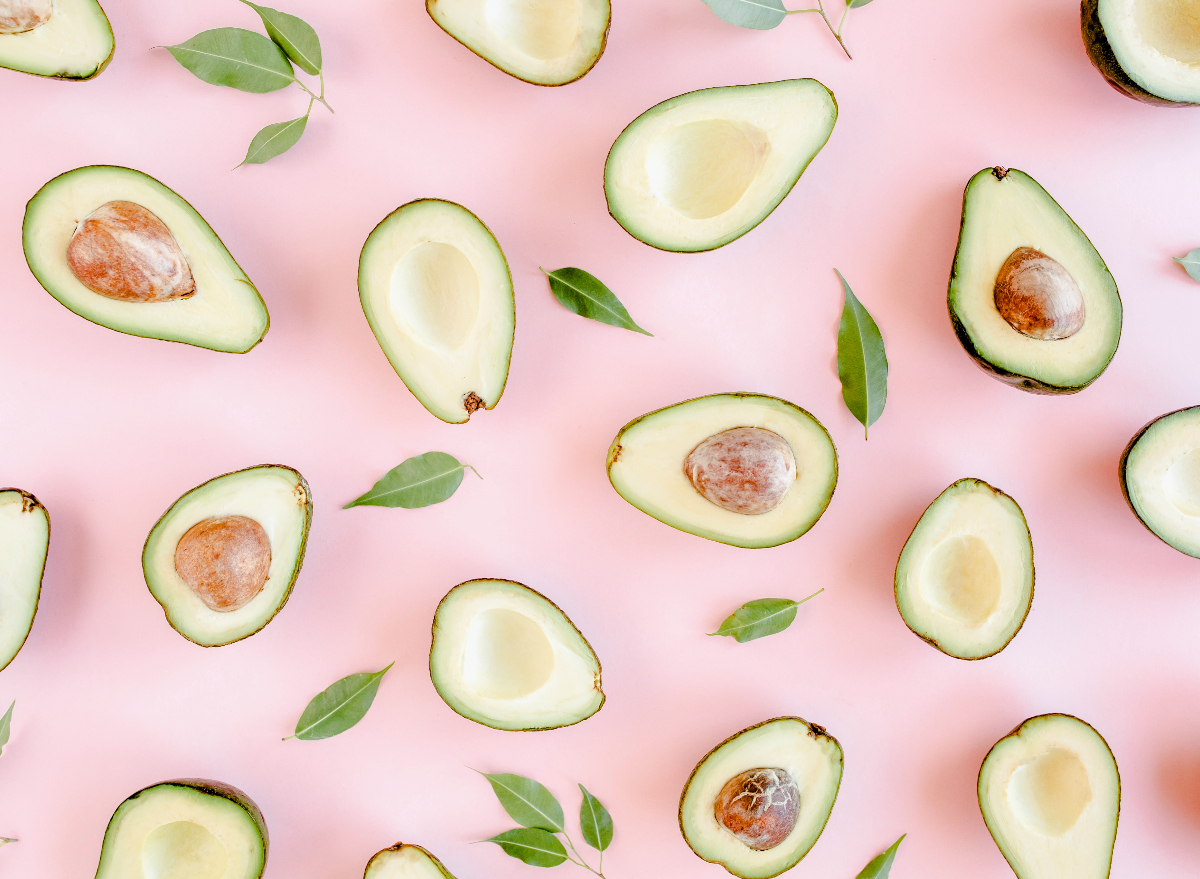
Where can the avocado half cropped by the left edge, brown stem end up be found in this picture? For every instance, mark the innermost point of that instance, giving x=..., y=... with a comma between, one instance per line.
x=25, y=543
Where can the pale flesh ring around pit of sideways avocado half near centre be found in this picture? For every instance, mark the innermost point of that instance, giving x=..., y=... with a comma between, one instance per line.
x=646, y=467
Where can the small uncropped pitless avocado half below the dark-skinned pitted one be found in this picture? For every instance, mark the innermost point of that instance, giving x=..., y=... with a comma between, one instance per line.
x=965, y=577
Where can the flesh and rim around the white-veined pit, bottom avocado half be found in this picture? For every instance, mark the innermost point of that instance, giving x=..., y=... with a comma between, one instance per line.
x=807, y=752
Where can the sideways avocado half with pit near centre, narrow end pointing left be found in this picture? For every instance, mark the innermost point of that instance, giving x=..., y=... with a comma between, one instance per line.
x=740, y=469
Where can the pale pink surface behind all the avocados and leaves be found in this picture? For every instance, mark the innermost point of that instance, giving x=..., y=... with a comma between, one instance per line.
x=109, y=430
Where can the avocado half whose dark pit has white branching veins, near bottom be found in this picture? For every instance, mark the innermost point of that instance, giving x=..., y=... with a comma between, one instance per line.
x=791, y=770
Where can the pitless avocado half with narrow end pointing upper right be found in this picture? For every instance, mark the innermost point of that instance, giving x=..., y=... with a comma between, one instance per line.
x=701, y=170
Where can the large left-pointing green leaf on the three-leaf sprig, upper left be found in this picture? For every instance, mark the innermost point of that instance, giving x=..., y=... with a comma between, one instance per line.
x=237, y=58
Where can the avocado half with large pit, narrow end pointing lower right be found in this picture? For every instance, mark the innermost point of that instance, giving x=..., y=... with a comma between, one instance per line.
x=122, y=250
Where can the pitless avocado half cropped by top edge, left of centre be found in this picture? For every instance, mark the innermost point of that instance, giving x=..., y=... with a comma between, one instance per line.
x=545, y=43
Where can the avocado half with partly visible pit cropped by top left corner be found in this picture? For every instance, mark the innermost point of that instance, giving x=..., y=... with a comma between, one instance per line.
x=59, y=39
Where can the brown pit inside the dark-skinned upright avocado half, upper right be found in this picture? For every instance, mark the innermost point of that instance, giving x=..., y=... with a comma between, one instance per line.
x=1039, y=297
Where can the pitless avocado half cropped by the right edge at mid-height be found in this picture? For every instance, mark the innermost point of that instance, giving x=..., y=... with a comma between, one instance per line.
x=1161, y=479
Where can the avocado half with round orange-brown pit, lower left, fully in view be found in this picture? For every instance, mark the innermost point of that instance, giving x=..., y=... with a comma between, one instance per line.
x=224, y=559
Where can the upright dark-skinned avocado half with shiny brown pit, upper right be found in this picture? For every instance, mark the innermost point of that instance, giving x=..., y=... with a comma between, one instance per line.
x=1030, y=300
